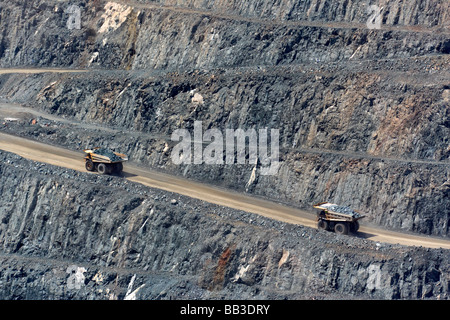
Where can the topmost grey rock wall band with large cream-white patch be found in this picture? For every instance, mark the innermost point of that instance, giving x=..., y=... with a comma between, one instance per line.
x=211, y=34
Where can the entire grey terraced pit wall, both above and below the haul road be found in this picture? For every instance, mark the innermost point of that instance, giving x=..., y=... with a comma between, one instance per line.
x=359, y=93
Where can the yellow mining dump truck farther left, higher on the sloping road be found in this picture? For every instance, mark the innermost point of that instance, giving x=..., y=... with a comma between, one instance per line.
x=104, y=161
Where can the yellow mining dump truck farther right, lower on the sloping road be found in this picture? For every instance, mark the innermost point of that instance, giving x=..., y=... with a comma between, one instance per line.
x=341, y=219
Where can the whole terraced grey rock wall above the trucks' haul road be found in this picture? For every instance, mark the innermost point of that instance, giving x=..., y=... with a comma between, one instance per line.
x=312, y=69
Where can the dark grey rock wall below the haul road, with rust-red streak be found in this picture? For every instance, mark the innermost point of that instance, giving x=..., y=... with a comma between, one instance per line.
x=71, y=235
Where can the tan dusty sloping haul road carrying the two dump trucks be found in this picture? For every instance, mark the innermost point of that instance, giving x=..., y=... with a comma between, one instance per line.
x=74, y=160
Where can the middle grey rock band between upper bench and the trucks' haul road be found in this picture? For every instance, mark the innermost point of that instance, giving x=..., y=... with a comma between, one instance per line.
x=375, y=144
